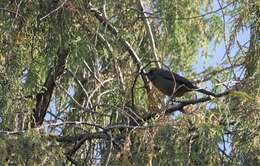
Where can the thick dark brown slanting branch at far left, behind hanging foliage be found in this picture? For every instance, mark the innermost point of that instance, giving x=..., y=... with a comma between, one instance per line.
x=43, y=98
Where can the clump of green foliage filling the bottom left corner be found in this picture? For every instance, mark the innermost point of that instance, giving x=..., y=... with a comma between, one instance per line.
x=29, y=149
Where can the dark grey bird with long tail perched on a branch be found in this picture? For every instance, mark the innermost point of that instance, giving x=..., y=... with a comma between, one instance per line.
x=172, y=84
